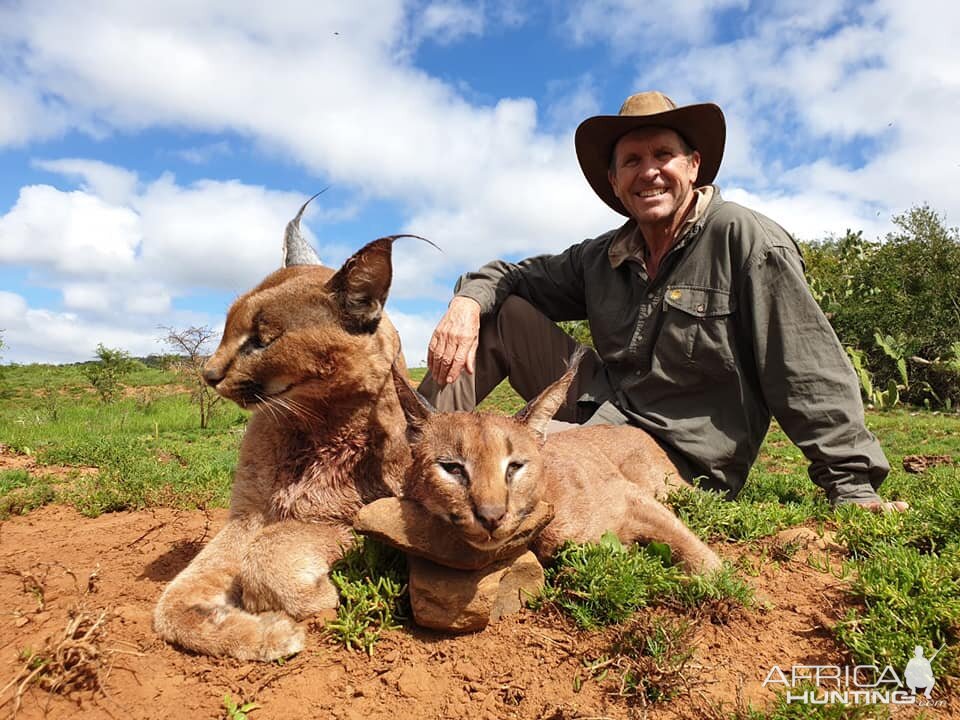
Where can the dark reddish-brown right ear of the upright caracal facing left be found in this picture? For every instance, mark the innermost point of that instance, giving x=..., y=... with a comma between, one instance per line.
x=360, y=287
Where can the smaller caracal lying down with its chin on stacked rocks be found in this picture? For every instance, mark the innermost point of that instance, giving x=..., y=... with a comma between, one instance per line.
x=485, y=473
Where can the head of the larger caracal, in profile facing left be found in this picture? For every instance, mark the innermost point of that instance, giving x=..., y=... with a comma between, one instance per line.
x=308, y=334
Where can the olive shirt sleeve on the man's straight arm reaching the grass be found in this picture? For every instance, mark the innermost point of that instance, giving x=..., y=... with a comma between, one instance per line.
x=806, y=377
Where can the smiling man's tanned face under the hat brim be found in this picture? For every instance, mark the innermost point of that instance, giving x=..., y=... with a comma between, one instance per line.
x=652, y=174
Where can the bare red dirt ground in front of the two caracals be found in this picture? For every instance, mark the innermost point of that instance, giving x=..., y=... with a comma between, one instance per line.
x=523, y=667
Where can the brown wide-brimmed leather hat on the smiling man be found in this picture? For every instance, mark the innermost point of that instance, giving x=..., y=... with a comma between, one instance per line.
x=702, y=126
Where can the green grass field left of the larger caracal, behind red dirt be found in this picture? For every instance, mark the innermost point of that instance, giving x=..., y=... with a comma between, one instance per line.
x=147, y=448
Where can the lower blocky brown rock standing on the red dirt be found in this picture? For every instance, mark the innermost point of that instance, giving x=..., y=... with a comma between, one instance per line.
x=445, y=598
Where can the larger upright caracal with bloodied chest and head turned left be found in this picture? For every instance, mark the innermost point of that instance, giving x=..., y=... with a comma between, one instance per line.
x=310, y=351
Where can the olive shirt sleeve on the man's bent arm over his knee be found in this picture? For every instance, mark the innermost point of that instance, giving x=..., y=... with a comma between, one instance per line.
x=551, y=283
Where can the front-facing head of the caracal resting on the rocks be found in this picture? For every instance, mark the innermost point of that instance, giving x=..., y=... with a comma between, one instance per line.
x=480, y=472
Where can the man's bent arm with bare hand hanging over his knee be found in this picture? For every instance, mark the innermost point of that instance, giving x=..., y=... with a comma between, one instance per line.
x=551, y=283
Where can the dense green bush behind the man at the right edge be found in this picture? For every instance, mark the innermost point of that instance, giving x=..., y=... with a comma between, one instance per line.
x=903, y=289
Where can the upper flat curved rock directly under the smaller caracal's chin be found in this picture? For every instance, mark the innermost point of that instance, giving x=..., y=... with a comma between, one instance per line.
x=409, y=527
